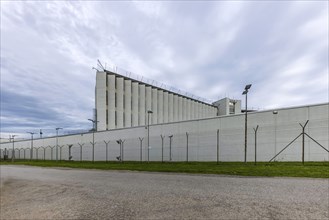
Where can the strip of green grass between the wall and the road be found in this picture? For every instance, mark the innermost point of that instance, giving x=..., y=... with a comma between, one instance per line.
x=287, y=169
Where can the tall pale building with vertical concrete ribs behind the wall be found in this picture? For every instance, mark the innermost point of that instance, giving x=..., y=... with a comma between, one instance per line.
x=121, y=102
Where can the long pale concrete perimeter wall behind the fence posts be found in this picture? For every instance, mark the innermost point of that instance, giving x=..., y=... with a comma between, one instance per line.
x=274, y=133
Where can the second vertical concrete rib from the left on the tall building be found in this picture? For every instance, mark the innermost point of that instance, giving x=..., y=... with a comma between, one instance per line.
x=111, y=101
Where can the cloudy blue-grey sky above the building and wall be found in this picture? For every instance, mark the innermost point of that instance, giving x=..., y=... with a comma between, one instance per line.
x=211, y=49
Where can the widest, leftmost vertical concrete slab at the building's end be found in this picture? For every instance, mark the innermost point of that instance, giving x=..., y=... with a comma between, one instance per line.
x=101, y=100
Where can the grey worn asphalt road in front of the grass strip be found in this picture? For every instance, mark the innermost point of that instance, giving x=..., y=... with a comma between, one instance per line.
x=44, y=193
